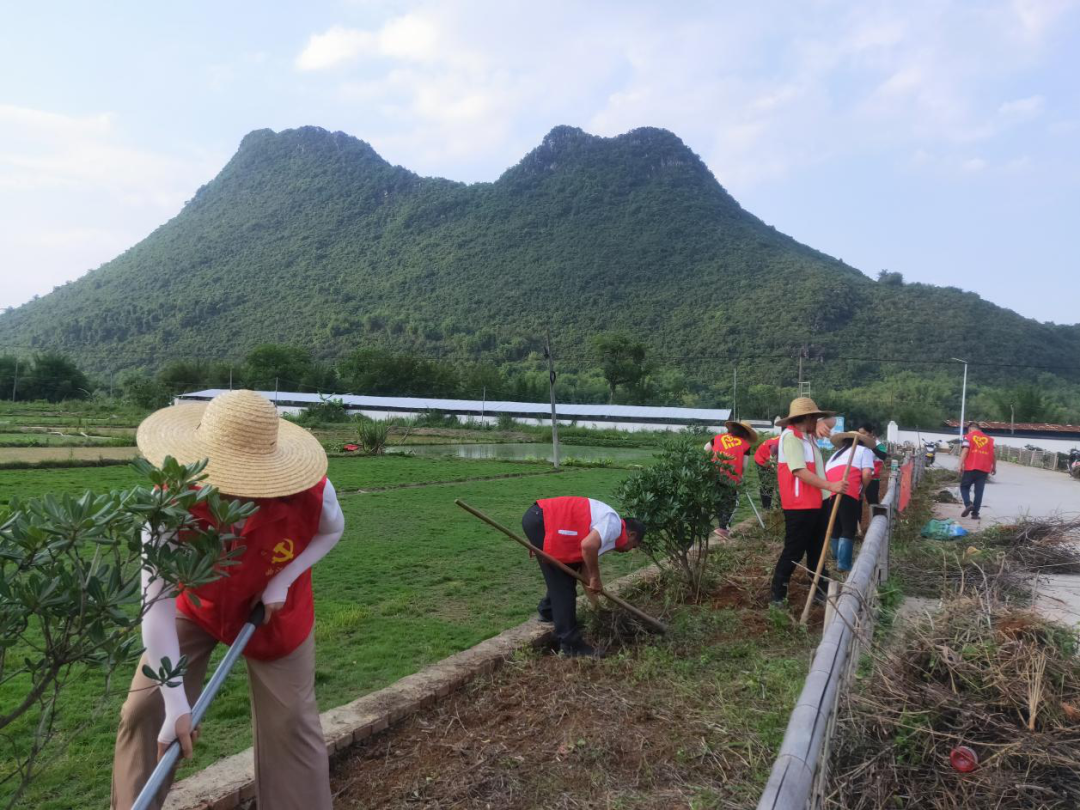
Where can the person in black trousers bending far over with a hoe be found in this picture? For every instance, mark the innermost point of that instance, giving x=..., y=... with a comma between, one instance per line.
x=576, y=532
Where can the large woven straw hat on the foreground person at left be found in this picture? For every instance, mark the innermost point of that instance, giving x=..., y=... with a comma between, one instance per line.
x=252, y=452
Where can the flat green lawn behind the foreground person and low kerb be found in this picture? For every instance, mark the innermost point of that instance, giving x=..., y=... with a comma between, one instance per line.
x=414, y=580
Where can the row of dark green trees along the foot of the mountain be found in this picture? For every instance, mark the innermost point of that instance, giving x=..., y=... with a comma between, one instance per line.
x=617, y=369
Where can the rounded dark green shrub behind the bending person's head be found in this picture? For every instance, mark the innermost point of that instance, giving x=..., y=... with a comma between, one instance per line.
x=679, y=498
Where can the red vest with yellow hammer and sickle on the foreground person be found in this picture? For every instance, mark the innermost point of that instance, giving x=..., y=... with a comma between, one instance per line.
x=272, y=538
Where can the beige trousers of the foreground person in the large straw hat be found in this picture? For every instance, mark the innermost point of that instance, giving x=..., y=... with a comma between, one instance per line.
x=292, y=769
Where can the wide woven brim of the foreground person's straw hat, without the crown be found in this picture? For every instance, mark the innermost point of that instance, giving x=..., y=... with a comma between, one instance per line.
x=299, y=462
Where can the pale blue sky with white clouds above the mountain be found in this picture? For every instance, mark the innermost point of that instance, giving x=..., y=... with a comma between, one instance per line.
x=930, y=138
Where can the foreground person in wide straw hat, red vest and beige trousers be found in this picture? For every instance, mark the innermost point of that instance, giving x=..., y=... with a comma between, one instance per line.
x=255, y=456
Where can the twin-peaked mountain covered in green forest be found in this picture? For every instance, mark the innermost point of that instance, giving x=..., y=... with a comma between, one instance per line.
x=309, y=238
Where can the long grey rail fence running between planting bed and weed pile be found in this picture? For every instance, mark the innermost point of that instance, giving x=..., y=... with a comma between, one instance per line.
x=801, y=771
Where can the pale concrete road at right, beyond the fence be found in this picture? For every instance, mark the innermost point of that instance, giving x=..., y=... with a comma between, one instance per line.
x=1027, y=492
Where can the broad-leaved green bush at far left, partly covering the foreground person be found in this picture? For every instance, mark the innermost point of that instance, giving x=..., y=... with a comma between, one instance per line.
x=71, y=596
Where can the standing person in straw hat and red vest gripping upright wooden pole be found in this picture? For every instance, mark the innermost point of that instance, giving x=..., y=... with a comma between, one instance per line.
x=804, y=494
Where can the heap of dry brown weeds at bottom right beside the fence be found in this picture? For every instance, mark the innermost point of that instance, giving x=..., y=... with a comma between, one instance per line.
x=1006, y=684
